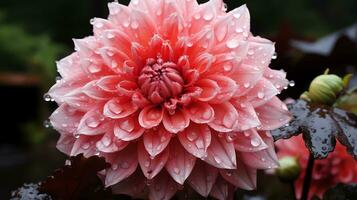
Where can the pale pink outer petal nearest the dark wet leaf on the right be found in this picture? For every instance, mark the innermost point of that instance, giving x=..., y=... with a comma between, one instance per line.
x=273, y=114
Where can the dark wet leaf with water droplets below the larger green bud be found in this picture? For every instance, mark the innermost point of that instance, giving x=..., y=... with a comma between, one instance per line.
x=321, y=125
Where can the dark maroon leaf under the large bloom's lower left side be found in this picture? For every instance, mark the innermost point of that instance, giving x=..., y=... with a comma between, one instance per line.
x=79, y=180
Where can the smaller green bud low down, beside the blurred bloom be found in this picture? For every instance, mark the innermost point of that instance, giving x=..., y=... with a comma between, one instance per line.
x=289, y=169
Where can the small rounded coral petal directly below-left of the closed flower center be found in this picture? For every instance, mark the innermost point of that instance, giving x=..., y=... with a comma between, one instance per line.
x=151, y=116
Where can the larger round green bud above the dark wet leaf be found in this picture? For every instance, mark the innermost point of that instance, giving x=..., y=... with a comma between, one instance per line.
x=325, y=89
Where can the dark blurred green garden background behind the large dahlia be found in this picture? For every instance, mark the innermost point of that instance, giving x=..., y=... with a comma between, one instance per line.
x=34, y=34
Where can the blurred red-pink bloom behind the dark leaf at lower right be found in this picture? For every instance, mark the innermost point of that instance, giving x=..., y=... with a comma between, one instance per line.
x=338, y=167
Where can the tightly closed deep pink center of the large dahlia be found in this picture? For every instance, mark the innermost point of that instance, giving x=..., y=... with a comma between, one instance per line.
x=160, y=80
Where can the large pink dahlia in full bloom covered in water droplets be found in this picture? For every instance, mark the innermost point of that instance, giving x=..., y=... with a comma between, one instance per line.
x=171, y=93
